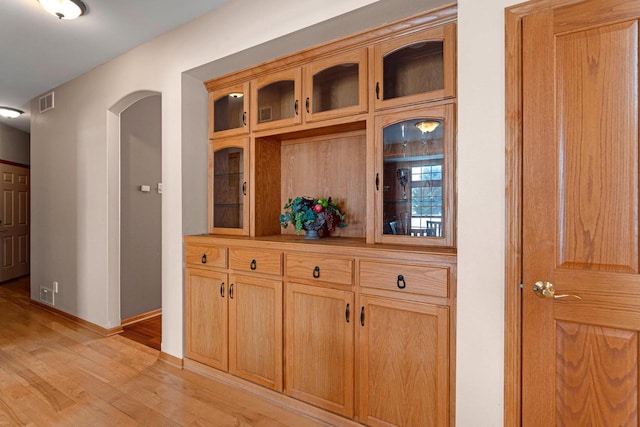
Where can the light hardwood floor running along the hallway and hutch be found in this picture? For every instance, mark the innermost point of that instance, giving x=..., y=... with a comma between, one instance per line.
x=55, y=373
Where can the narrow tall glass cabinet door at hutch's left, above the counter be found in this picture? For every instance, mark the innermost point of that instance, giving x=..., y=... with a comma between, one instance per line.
x=229, y=203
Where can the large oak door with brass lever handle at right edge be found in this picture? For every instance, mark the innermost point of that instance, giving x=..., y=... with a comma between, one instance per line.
x=580, y=215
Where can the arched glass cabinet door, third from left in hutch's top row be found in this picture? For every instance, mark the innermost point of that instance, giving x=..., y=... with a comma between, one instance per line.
x=336, y=86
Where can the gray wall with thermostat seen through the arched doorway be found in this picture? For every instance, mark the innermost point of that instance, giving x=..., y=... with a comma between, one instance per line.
x=141, y=244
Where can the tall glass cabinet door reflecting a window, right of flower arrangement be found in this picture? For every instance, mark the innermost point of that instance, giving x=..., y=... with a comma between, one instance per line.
x=414, y=181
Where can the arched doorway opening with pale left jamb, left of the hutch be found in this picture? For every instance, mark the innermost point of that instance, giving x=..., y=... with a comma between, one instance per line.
x=135, y=168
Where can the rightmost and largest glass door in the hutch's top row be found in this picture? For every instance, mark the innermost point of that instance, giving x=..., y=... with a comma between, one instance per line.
x=414, y=68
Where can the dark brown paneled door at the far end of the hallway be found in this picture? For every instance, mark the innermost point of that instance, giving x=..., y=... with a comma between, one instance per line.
x=14, y=221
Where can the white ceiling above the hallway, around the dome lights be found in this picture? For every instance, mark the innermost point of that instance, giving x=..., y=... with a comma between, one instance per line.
x=40, y=52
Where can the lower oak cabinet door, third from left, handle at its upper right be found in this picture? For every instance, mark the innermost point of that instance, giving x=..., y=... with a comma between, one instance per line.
x=319, y=346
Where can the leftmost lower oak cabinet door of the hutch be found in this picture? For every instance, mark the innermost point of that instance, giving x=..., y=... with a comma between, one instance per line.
x=206, y=317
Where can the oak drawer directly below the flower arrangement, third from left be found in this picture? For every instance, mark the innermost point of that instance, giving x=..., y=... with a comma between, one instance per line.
x=324, y=269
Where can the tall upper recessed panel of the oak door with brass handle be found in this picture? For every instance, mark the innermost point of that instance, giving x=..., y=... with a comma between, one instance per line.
x=598, y=143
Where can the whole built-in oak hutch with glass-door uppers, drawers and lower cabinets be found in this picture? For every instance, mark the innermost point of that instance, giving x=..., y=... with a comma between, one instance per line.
x=361, y=323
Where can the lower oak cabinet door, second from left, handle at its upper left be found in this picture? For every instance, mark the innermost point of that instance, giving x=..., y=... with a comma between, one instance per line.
x=255, y=330
